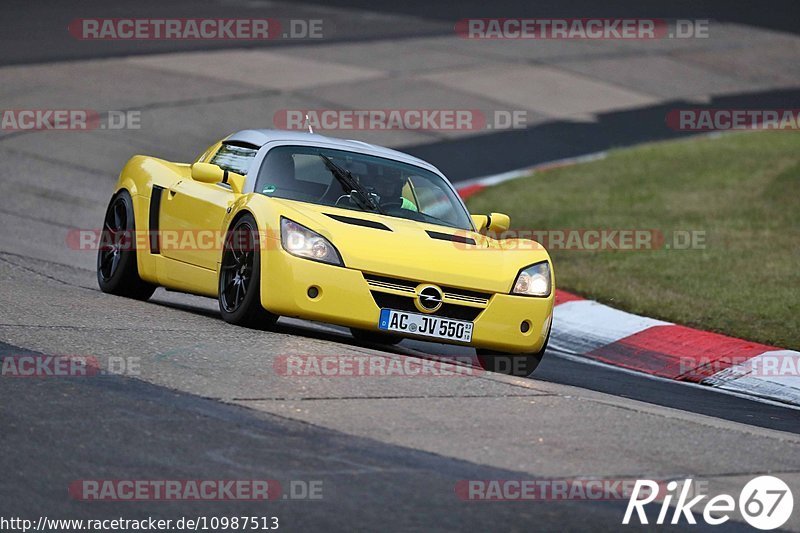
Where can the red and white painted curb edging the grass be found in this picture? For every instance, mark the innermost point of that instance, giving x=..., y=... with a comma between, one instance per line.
x=594, y=331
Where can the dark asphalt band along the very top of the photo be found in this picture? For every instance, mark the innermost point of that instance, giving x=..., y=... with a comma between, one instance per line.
x=35, y=31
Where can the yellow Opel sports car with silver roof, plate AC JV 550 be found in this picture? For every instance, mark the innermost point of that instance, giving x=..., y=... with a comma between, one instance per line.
x=275, y=223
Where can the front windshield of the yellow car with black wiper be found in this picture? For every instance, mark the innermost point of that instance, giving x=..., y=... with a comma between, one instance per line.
x=351, y=180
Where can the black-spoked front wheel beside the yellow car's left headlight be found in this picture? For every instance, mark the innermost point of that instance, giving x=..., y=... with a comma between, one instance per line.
x=239, y=291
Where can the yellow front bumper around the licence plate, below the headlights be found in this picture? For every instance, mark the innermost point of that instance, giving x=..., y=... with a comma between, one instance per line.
x=345, y=297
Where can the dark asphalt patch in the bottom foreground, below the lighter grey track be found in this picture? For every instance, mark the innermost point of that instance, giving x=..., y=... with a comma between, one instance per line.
x=366, y=485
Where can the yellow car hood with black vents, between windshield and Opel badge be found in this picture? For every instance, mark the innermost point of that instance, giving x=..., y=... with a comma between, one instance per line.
x=397, y=247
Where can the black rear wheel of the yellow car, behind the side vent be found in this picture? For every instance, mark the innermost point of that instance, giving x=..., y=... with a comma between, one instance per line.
x=117, y=268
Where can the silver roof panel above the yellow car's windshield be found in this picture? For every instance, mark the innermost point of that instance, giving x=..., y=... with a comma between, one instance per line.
x=261, y=137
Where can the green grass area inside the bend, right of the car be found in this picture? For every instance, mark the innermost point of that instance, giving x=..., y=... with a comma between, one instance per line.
x=742, y=189
